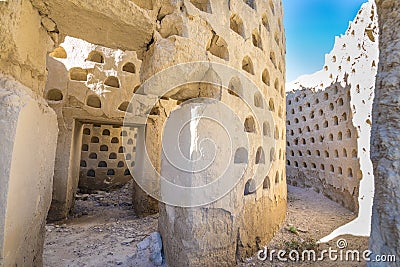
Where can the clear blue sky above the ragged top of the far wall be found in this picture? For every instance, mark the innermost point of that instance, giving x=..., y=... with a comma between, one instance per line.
x=311, y=27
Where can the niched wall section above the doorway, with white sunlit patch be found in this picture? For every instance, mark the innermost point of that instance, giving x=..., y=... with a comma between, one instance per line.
x=95, y=81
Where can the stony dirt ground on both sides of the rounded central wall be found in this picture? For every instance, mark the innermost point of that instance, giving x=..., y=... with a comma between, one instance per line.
x=104, y=230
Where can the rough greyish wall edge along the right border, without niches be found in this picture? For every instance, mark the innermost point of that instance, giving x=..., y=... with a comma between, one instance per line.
x=385, y=152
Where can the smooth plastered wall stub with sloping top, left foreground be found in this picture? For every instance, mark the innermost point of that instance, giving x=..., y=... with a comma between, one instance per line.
x=26, y=172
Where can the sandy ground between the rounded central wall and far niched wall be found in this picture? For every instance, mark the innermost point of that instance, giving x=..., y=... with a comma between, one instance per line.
x=313, y=216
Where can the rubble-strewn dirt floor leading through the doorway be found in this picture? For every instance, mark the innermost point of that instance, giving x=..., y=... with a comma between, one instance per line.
x=104, y=231
